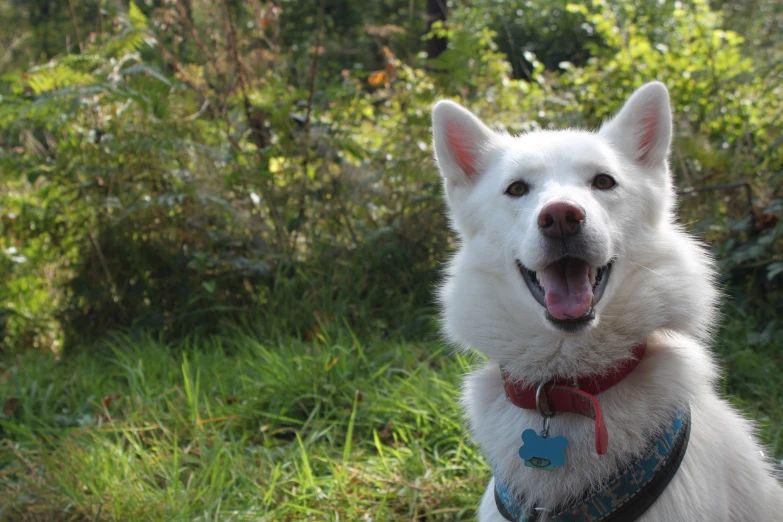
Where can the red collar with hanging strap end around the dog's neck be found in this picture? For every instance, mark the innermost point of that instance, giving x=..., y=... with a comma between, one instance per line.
x=575, y=395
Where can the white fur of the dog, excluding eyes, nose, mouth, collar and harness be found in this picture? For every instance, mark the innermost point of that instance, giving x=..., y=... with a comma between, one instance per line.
x=661, y=289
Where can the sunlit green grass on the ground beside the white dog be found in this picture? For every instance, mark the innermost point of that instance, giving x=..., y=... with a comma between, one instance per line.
x=334, y=428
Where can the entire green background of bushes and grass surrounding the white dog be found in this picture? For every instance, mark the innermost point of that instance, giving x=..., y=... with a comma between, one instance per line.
x=220, y=227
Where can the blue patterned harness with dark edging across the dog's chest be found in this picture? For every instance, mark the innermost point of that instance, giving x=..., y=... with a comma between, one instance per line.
x=625, y=497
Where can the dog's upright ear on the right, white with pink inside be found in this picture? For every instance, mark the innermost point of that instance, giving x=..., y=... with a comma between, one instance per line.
x=642, y=130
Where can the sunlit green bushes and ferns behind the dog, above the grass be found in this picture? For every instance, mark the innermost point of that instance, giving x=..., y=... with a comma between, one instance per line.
x=189, y=164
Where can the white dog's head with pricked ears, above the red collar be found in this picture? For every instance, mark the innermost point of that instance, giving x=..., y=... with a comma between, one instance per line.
x=569, y=252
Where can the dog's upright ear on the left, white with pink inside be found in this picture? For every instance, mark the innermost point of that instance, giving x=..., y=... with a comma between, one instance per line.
x=460, y=140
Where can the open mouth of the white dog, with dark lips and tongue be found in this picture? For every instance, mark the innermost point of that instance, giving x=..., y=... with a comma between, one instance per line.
x=569, y=289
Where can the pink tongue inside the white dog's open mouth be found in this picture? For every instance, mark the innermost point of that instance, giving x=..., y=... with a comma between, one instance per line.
x=569, y=293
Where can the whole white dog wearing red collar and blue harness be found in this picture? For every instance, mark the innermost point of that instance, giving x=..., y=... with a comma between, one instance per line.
x=575, y=281
